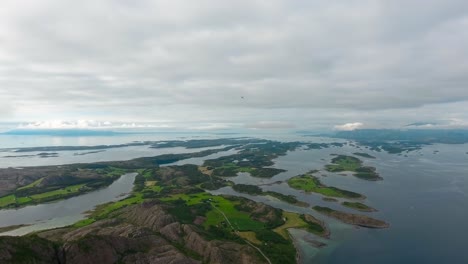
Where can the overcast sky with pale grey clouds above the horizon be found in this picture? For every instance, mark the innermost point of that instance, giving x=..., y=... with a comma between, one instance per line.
x=219, y=64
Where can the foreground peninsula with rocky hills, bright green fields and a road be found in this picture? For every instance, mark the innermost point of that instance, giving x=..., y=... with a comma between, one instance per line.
x=169, y=219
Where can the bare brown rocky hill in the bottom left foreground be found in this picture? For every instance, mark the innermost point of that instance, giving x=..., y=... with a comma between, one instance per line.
x=140, y=234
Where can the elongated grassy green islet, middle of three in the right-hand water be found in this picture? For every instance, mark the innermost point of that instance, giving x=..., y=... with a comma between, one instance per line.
x=311, y=183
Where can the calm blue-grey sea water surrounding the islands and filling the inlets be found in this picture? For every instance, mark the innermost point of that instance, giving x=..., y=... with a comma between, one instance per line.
x=423, y=196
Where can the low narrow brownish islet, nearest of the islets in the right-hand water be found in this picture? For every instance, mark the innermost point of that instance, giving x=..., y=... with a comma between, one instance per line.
x=353, y=219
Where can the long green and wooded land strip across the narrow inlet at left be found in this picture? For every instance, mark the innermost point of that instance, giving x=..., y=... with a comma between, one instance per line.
x=34, y=185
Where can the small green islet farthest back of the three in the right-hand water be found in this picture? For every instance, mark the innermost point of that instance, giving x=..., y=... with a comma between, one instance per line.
x=348, y=163
